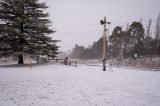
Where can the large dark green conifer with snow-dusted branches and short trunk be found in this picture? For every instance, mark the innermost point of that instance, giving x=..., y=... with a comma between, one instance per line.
x=24, y=29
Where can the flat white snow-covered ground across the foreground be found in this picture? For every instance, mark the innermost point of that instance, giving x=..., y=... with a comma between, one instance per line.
x=59, y=85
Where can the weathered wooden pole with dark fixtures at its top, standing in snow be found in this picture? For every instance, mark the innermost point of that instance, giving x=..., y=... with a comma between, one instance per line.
x=104, y=23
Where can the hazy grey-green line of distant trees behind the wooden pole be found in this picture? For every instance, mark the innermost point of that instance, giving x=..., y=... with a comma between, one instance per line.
x=134, y=41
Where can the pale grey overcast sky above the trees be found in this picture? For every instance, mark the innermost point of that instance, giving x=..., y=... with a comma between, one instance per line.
x=78, y=21
